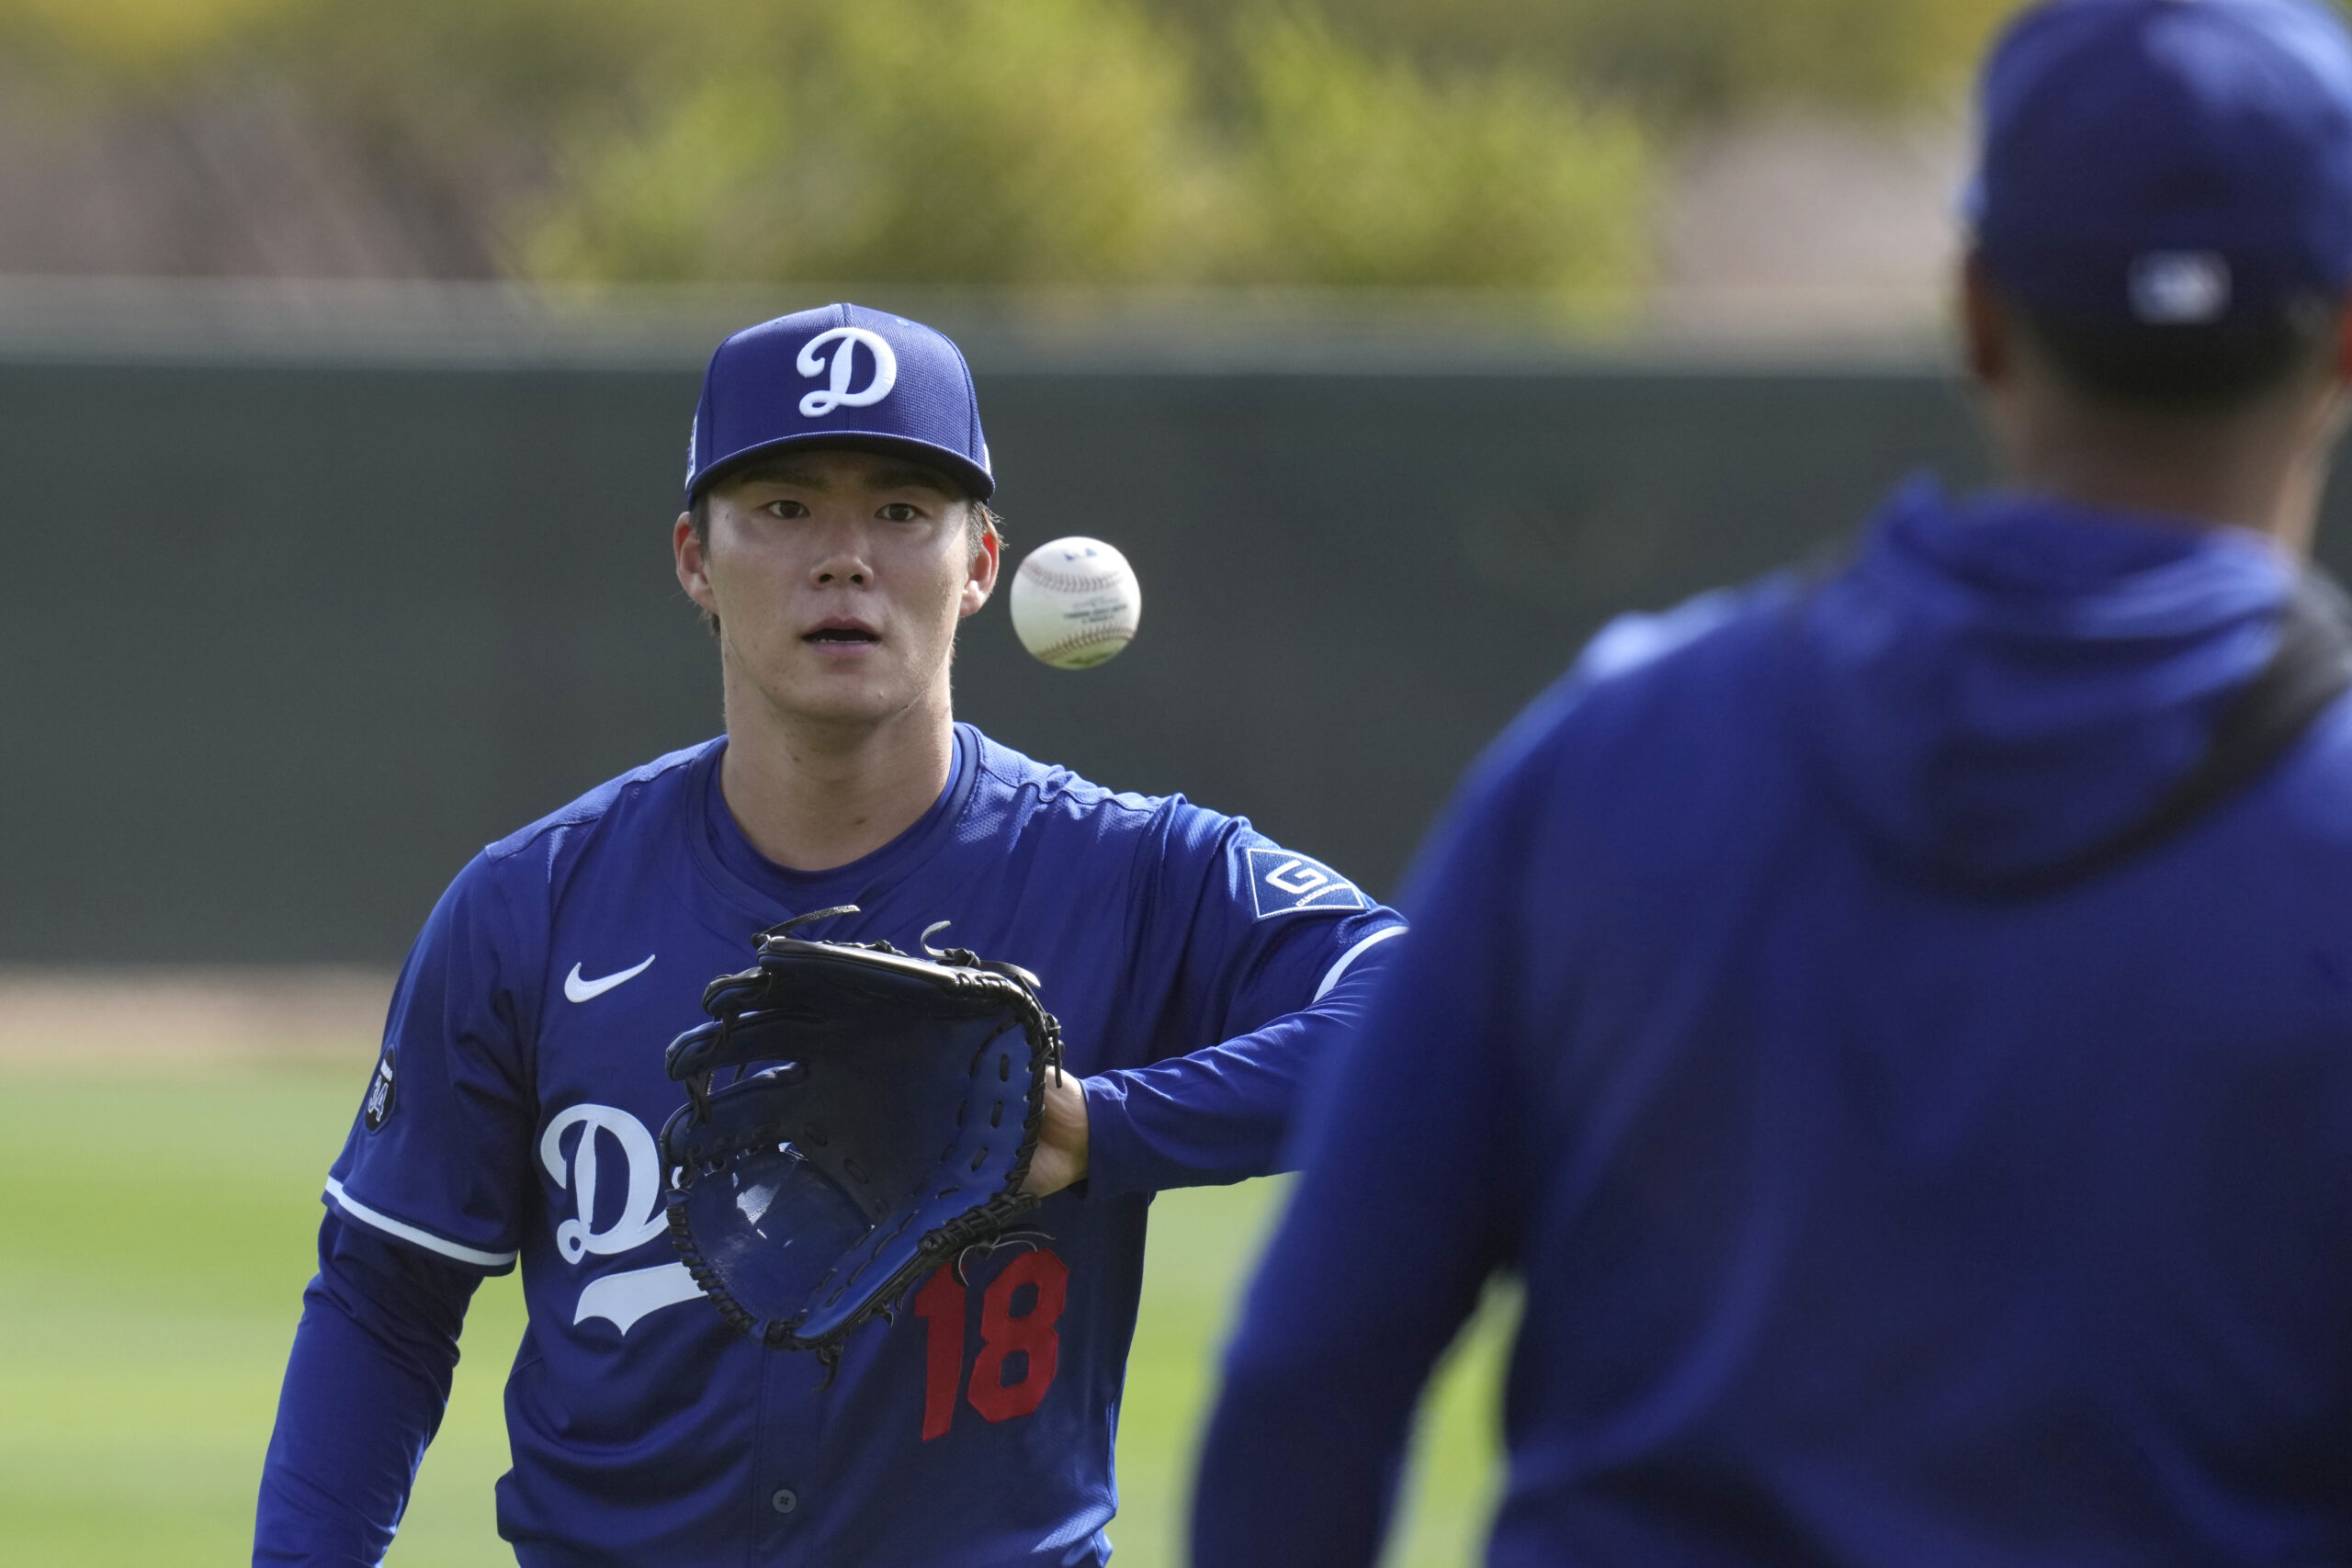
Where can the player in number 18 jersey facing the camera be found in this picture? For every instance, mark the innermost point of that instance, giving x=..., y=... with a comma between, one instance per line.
x=836, y=535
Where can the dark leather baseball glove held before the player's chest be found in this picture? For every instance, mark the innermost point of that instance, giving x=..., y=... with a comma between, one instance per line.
x=881, y=1120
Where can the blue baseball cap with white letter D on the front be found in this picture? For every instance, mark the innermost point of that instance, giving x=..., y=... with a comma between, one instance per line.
x=838, y=377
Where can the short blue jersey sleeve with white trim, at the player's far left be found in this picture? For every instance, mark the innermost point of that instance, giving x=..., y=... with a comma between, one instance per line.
x=439, y=1153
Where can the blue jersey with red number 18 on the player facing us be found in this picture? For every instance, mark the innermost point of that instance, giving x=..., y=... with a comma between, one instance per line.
x=521, y=1094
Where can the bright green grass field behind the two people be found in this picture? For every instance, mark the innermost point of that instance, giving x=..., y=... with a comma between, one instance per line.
x=154, y=1247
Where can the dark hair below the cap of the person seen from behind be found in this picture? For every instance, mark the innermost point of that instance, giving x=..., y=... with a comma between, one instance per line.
x=2210, y=368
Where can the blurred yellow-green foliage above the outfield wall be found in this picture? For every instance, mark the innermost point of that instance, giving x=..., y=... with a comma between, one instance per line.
x=1509, y=145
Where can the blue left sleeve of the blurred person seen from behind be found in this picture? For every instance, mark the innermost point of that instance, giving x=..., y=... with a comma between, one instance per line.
x=1410, y=1160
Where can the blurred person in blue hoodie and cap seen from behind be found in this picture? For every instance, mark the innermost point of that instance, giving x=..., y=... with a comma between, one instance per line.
x=1899, y=1021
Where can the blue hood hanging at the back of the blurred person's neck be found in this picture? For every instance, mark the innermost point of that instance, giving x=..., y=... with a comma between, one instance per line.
x=2005, y=683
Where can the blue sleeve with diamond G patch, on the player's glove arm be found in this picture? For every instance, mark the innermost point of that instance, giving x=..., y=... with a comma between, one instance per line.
x=1262, y=967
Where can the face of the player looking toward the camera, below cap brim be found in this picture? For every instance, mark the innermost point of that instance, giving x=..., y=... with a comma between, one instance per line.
x=838, y=579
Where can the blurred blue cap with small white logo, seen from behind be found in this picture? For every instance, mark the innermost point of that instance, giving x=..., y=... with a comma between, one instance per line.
x=2167, y=161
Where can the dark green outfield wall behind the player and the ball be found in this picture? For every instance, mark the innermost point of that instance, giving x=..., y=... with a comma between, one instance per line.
x=286, y=645
